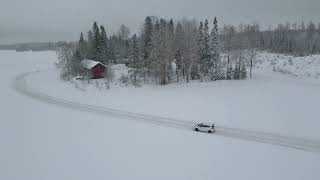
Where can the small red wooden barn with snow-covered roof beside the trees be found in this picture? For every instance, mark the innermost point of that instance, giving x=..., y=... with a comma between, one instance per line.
x=94, y=69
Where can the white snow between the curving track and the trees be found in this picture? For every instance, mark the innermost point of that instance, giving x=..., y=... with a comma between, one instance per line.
x=270, y=101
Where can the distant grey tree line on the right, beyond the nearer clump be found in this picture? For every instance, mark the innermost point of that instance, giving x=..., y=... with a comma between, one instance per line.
x=296, y=39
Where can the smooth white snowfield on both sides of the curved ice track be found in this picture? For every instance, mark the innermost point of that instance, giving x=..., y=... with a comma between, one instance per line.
x=43, y=141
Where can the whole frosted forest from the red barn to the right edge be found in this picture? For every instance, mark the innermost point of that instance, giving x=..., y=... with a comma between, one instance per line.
x=167, y=51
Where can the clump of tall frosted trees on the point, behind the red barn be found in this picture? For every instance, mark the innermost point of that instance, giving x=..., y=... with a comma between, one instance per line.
x=163, y=52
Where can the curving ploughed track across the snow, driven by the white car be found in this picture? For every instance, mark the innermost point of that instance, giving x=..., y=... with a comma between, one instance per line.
x=20, y=85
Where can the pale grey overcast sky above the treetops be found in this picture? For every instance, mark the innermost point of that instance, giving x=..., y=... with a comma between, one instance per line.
x=52, y=20
